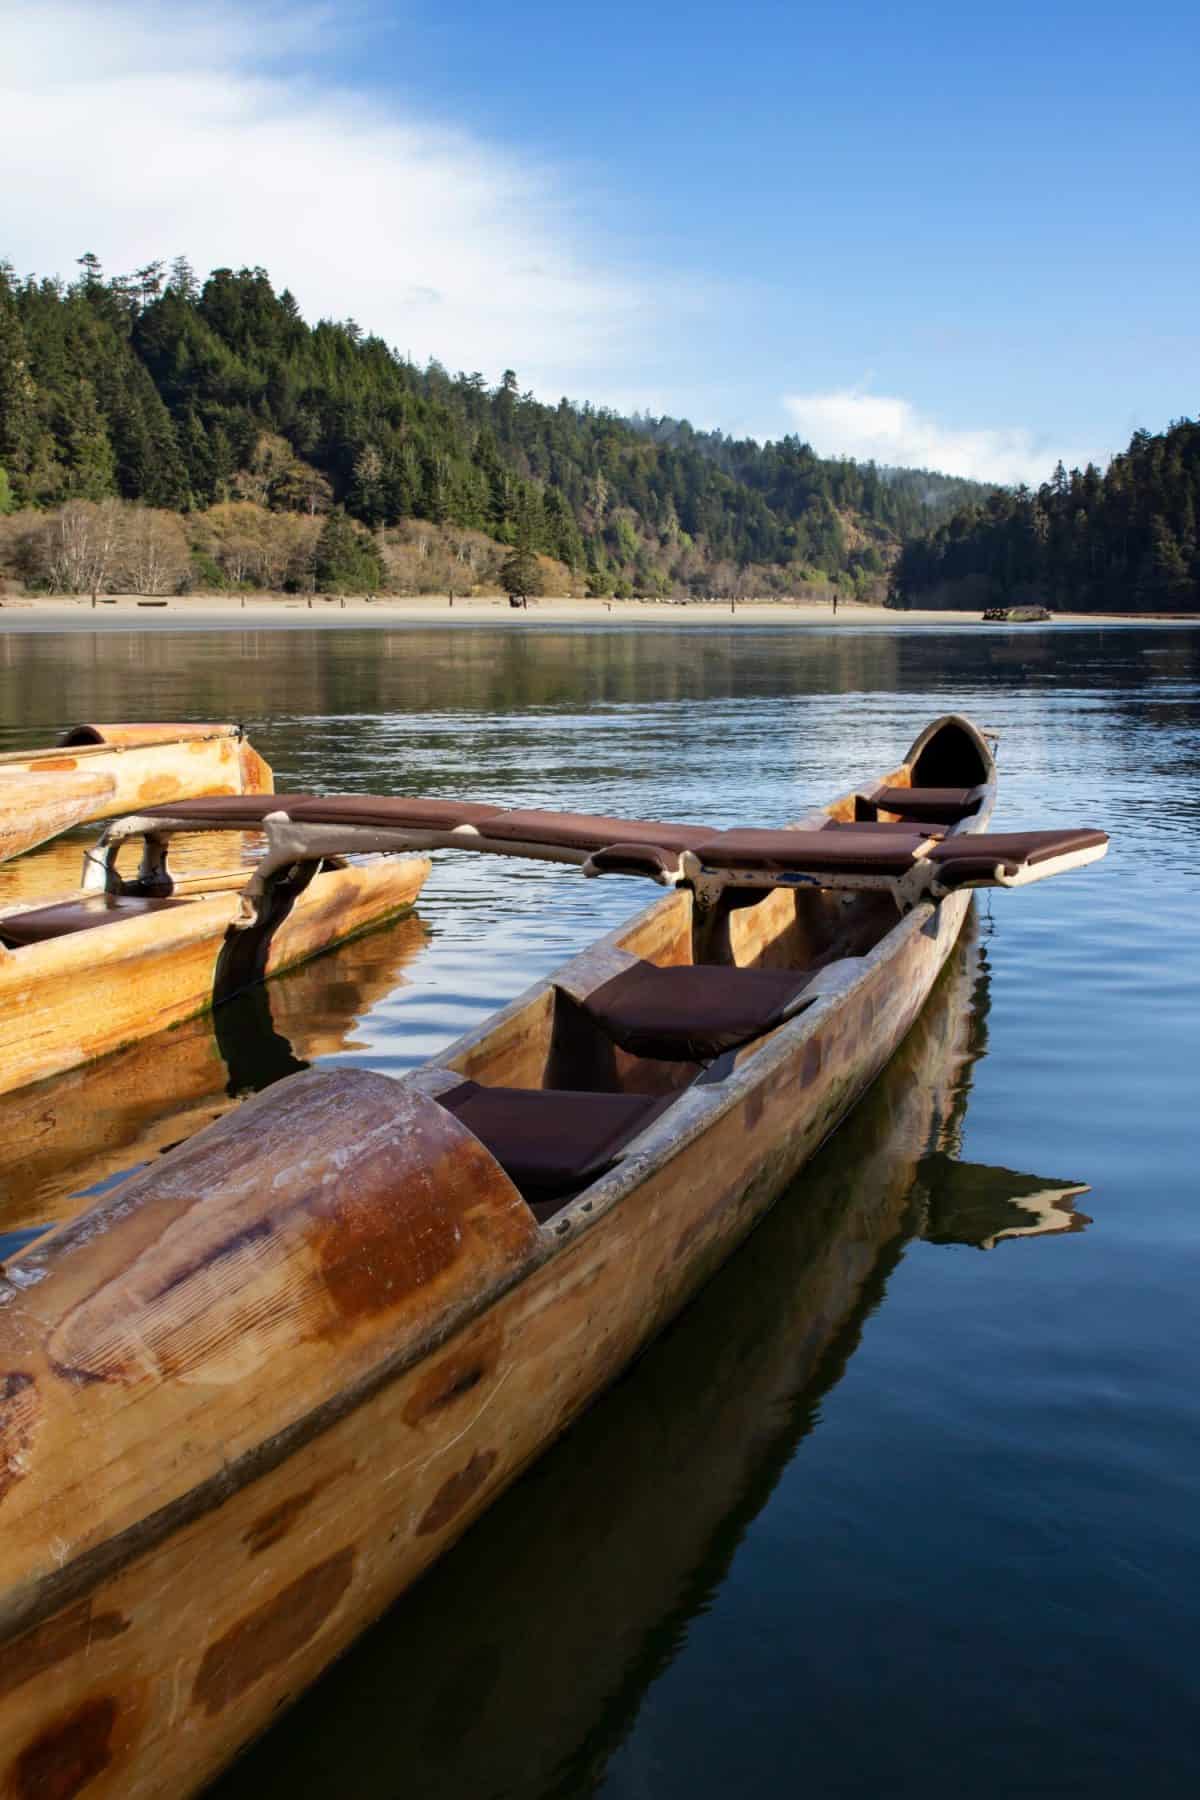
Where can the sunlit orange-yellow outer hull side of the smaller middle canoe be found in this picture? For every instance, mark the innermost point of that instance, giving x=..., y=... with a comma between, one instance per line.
x=78, y=998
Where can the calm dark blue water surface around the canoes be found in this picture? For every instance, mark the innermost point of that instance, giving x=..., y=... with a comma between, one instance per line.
x=909, y=1500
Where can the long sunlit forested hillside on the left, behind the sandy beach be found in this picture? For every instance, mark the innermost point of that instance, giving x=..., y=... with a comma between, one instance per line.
x=217, y=408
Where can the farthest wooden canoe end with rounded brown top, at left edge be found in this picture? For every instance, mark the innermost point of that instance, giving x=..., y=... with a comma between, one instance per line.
x=102, y=771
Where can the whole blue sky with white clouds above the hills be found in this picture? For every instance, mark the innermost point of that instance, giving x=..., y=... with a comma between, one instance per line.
x=951, y=237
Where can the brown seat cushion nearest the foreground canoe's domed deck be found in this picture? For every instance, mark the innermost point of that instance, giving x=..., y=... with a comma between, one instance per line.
x=550, y=1140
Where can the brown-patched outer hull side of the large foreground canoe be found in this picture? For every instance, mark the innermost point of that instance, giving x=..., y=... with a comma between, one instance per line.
x=147, y=1660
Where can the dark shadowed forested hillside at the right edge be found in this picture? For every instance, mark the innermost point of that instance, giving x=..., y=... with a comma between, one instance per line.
x=1086, y=543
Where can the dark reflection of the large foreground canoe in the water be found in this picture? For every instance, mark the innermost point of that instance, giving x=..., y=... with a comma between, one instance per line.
x=519, y=1664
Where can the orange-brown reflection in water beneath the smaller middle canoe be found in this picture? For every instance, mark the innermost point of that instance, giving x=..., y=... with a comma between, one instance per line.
x=100, y=1122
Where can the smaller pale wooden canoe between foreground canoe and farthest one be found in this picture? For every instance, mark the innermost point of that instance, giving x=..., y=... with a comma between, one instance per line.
x=93, y=973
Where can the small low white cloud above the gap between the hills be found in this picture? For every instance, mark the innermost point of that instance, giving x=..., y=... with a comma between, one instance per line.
x=886, y=429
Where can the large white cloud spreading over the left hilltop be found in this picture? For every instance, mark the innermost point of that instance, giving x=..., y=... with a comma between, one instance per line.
x=154, y=130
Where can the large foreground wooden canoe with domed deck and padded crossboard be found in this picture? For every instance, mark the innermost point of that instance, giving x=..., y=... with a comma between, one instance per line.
x=258, y=1389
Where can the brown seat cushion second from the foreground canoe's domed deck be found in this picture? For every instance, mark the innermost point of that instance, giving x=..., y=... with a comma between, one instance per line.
x=692, y=1014
